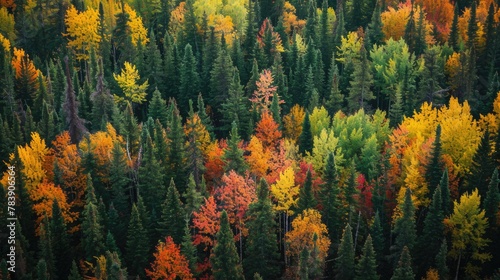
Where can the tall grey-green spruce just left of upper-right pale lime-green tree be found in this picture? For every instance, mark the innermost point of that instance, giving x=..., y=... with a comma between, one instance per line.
x=361, y=81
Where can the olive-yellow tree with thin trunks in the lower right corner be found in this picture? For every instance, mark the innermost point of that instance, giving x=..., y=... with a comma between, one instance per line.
x=468, y=225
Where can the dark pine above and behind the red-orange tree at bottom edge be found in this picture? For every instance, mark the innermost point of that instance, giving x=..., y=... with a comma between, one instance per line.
x=172, y=216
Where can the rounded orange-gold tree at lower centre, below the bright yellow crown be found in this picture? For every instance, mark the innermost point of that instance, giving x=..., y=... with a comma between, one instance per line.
x=304, y=227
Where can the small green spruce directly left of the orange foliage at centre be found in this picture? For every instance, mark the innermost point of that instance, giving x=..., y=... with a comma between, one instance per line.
x=233, y=157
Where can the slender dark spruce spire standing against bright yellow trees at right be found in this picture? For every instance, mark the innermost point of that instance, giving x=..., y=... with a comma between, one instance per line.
x=433, y=171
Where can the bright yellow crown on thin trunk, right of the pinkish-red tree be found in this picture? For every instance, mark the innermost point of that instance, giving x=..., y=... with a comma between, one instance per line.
x=285, y=192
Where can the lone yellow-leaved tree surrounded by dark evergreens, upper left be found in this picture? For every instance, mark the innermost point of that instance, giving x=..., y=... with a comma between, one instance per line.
x=128, y=82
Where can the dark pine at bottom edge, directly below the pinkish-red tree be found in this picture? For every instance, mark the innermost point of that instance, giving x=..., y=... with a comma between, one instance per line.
x=224, y=259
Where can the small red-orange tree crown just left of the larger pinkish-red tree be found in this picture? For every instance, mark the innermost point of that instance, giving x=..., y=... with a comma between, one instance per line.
x=206, y=222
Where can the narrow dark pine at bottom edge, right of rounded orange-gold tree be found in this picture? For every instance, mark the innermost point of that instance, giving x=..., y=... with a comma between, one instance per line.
x=344, y=265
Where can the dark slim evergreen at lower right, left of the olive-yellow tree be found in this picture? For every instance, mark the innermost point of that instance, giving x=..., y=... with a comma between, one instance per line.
x=404, y=228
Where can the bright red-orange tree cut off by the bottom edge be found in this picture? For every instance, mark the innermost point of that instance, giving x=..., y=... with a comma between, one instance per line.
x=169, y=262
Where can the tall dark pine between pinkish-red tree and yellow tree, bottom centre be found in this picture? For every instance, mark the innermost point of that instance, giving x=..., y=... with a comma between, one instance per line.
x=262, y=248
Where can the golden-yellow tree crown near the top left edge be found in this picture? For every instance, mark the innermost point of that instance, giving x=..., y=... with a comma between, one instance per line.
x=83, y=30
